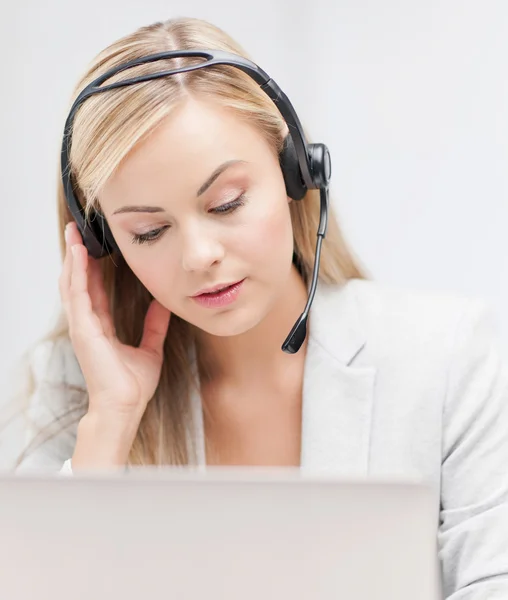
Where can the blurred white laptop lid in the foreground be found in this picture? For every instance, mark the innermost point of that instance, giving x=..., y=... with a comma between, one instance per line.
x=233, y=534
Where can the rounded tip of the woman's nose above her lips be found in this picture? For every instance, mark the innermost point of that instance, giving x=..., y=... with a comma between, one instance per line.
x=200, y=249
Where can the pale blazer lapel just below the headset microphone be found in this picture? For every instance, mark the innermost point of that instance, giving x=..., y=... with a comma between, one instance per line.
x=337, y=396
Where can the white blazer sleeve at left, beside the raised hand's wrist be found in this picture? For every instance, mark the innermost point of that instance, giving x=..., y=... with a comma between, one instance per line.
x=57, y=402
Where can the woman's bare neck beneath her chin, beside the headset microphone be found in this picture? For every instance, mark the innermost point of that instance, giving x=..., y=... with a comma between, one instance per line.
x=240, y=359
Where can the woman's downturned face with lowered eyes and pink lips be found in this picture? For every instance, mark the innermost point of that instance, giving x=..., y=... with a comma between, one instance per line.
x=199, y=204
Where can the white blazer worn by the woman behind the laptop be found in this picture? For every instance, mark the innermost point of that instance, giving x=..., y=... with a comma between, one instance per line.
x=396, y=383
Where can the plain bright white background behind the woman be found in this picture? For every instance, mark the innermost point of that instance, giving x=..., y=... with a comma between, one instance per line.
x=410, y=96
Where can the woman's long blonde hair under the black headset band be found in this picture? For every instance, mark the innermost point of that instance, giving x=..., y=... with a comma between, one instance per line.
x=106, y=128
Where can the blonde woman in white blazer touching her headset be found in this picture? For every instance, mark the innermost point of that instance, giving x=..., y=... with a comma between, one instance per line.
x=152, y=365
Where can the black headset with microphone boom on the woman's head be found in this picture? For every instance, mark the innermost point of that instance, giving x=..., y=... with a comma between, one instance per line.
x=304, y=166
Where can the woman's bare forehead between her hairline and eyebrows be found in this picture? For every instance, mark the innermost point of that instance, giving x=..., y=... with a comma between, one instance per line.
x=182, y=151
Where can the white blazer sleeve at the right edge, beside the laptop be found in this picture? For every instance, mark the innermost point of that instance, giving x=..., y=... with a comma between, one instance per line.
x=473, y=532
